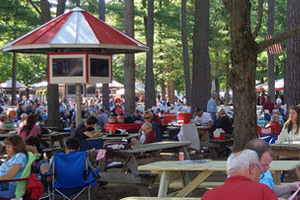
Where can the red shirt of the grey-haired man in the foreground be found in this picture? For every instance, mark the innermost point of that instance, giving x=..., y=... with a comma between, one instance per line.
x=240, y=188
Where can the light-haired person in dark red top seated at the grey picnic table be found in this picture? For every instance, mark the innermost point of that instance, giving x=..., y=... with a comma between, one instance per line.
x=147, y=135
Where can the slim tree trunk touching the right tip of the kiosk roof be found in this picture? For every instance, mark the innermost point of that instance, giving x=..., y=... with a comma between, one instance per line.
x=150, y=97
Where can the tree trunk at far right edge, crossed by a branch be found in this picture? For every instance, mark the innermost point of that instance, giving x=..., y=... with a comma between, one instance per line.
x=292, y=79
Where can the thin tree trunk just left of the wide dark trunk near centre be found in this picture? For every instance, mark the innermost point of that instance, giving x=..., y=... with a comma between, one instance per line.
x=185, y=54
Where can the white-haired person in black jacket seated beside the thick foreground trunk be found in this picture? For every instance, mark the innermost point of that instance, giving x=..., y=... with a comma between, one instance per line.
x=223, y=122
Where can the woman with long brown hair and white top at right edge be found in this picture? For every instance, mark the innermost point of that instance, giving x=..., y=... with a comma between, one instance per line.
x=291, y=130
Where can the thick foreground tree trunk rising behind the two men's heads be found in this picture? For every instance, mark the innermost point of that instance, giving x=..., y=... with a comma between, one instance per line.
x=243, y=58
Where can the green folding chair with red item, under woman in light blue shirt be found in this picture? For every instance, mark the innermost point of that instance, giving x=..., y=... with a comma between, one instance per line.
x=22, y=182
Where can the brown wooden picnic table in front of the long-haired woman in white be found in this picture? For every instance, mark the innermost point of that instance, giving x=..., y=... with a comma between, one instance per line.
x=286, y=149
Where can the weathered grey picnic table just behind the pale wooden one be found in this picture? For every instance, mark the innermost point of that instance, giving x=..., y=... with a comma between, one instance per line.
x=130, y=159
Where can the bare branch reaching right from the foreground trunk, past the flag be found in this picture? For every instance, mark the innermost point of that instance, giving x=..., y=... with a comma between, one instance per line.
x=278, y=38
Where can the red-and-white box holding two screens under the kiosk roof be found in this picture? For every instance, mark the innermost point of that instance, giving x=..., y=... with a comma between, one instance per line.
x=84, y=68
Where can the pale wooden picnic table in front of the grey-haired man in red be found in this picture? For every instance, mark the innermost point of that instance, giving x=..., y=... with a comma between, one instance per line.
x=207, y=168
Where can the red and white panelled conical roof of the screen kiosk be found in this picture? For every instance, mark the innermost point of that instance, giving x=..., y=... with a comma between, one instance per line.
x=76, y=30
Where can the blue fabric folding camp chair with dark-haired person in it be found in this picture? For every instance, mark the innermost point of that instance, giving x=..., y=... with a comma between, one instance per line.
x=71, y=175
